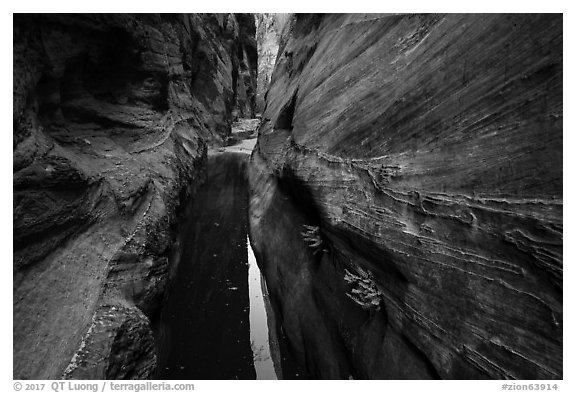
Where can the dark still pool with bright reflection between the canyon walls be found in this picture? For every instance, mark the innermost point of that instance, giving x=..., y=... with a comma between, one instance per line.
x=214, y=322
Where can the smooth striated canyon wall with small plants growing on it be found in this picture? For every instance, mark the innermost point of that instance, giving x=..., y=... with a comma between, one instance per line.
x=424, y=154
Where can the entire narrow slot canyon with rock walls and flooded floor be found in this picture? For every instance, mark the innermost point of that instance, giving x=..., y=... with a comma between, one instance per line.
x=288, y=196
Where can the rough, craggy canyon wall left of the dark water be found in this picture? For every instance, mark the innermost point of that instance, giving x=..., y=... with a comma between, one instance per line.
x=111, y=115
